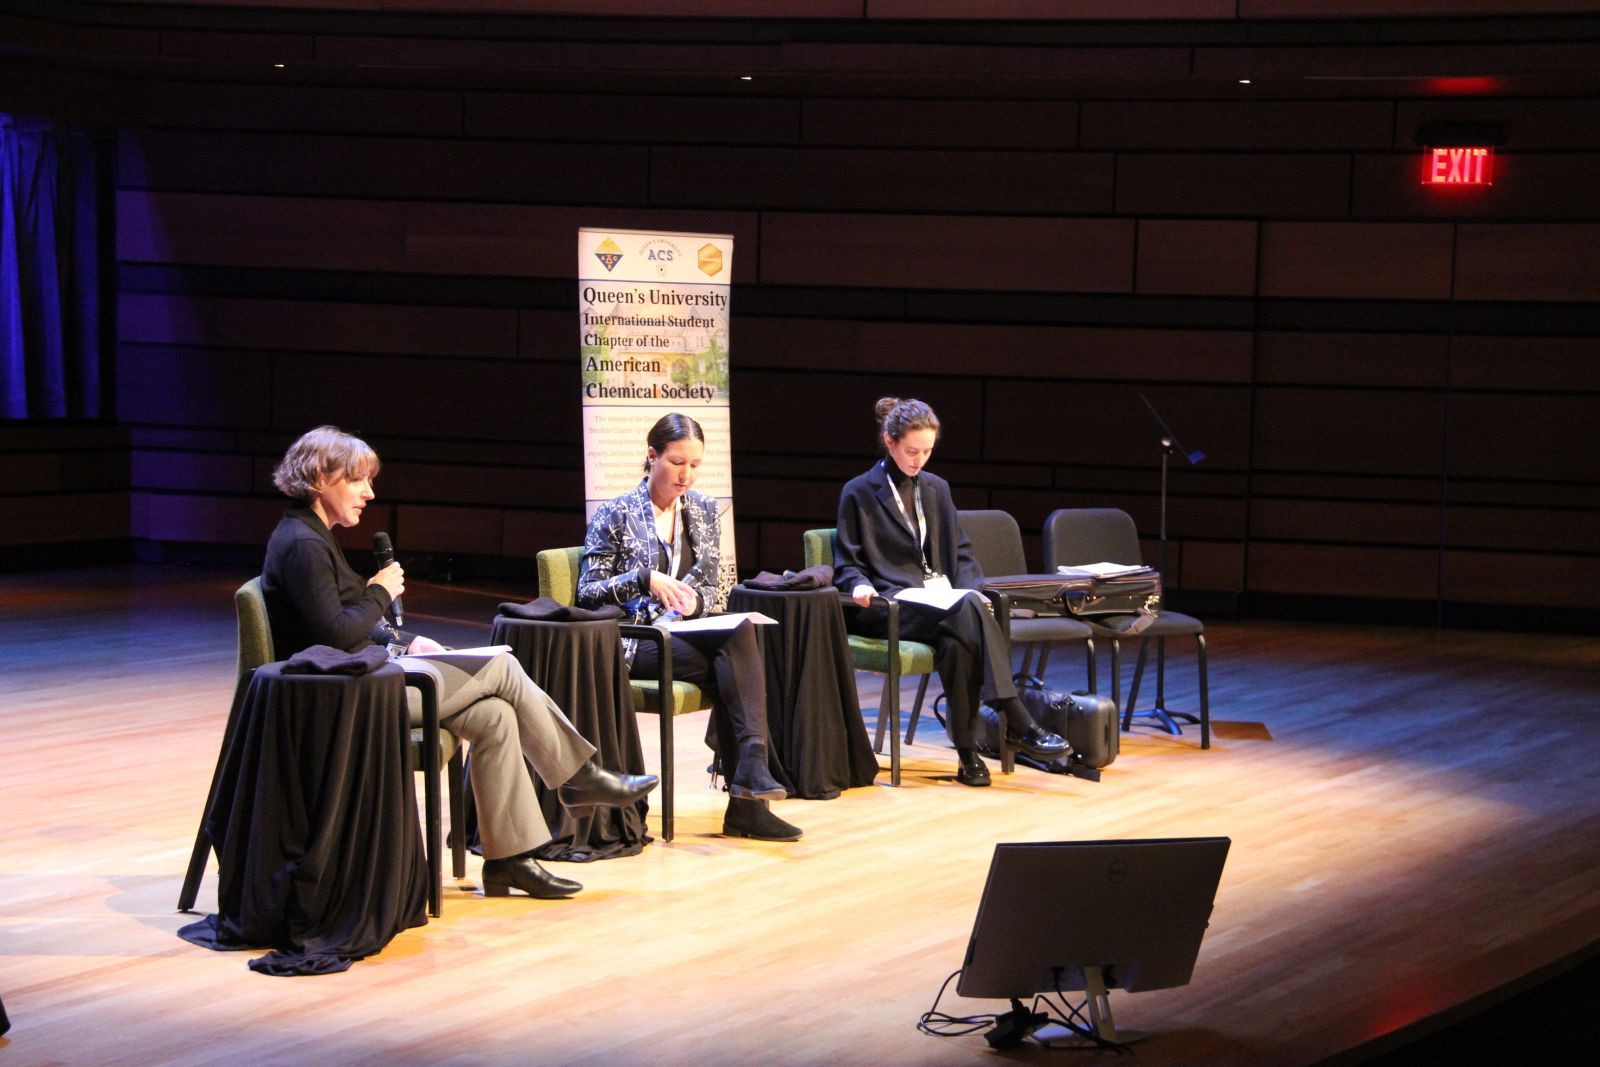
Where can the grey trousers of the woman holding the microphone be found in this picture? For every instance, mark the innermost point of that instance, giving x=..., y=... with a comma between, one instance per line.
x=492, y=705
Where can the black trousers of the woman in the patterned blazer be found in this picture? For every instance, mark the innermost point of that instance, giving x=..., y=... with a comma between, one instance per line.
x=729, y=666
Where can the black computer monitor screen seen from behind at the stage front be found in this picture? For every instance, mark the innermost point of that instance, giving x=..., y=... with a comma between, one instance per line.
x=1092, y=916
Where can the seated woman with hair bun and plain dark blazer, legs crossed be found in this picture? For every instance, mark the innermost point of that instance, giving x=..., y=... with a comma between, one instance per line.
x=898, y=530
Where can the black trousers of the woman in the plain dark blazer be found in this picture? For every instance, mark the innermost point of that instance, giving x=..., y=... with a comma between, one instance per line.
x=972, y=655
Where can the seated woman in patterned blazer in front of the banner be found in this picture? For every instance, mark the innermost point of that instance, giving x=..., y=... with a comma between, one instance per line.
x=657, y=553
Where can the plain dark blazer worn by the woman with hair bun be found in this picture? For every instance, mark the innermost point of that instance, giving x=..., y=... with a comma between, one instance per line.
x=876, y=548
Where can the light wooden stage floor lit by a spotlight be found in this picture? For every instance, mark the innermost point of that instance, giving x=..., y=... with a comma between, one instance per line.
x=1415, y=823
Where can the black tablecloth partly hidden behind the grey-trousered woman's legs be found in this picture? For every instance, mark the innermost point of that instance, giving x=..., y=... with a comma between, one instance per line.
x=582, y=666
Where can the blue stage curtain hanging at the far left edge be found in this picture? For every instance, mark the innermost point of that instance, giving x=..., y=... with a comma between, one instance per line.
x=50, y=362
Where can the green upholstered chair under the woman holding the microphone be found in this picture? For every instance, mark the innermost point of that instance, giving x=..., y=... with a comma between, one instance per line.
x=430, y=748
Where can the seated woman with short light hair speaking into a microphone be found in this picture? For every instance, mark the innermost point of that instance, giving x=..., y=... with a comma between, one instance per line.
x=316, y=599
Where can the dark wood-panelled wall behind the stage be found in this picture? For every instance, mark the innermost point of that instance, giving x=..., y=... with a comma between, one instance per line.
x=1394, y=386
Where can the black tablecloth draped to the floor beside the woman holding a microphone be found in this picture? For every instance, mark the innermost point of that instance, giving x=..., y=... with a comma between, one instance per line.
x=314, y=823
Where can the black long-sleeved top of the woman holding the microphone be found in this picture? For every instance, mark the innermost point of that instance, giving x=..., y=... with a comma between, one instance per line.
x=313, y=594
